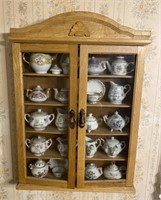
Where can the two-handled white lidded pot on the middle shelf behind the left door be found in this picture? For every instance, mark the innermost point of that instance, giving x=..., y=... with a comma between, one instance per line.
x=39, y=120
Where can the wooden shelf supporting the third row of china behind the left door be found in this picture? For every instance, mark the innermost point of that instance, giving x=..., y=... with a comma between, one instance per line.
x=49, y=130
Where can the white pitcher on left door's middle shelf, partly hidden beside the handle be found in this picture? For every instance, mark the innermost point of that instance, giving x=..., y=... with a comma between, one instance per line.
x=61, y=120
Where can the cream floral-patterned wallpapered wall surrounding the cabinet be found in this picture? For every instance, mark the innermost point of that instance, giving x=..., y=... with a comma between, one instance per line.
x=139, y=14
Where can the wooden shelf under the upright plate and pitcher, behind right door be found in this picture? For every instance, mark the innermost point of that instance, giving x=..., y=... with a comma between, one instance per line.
x=106, y=104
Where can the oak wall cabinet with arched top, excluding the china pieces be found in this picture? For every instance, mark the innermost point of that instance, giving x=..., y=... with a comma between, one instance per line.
x=80, y=36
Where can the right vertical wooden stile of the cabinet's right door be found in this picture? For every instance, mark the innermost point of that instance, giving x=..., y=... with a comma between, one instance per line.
x=137, y=94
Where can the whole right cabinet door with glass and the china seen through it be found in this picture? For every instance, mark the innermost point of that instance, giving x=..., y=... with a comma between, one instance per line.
x=107, y=109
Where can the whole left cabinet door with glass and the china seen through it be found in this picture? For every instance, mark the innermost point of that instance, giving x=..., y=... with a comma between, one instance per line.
x=48, y=132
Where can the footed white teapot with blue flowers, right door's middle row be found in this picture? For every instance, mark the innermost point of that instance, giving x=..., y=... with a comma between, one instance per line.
x=116, y=122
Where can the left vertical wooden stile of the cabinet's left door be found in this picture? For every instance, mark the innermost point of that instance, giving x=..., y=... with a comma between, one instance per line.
x=18, y=86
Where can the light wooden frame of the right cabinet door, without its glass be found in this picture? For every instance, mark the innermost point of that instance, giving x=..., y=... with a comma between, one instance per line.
x=136, y=102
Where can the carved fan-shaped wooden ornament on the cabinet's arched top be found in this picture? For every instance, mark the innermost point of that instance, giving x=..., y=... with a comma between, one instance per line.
x=79, y=29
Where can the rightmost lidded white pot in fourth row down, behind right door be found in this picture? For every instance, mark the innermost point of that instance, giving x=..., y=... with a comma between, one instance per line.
x=113, y=147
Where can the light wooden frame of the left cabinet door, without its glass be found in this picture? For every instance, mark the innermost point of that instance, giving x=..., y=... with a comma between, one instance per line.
x=72, y=50
